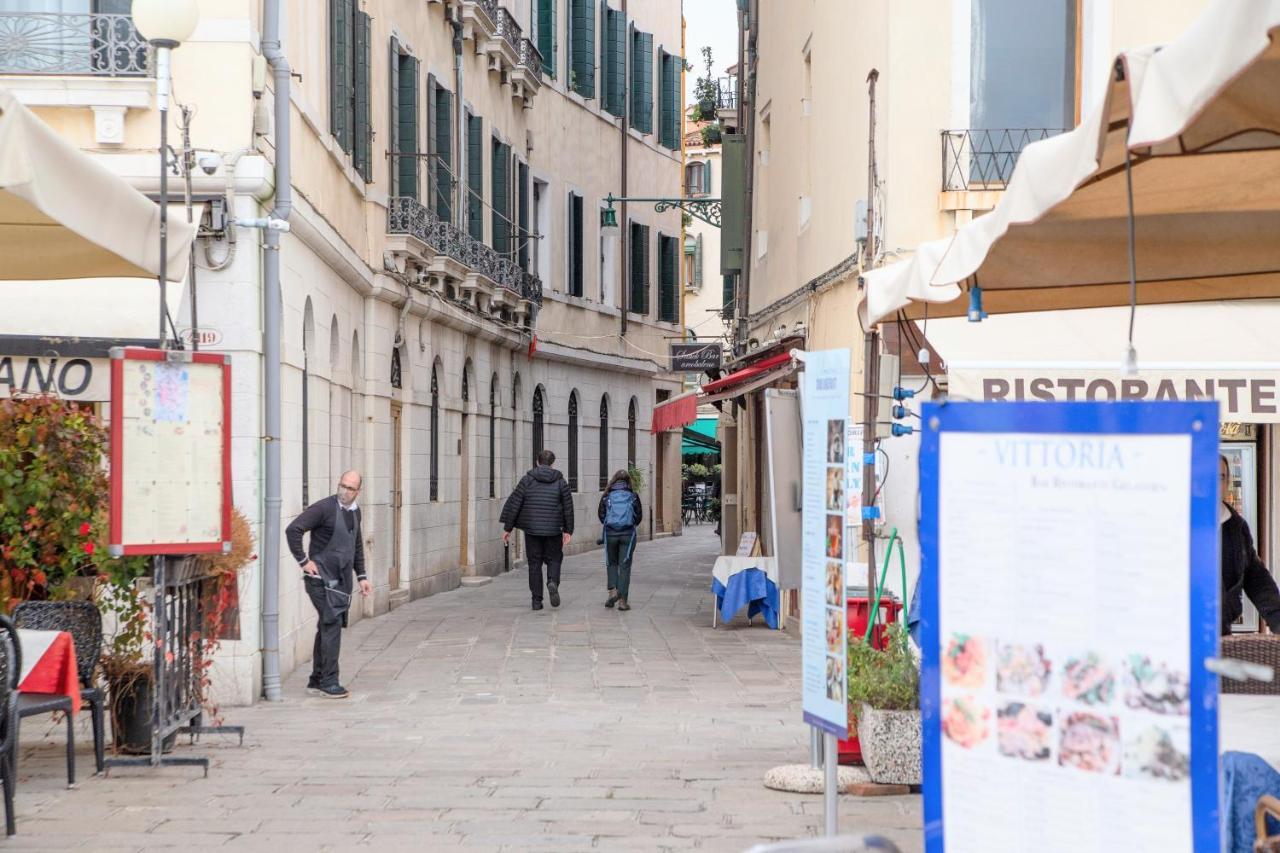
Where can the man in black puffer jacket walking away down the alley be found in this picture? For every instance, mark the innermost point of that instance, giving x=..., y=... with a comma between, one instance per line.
x=542, y=507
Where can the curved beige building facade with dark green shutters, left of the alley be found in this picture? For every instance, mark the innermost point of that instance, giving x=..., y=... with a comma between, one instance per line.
x=450, y=300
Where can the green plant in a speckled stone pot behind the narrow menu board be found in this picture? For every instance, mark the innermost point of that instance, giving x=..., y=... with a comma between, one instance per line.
x=885, y=700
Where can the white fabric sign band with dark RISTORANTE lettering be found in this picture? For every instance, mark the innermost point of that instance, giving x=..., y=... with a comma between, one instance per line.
x=1249, y=395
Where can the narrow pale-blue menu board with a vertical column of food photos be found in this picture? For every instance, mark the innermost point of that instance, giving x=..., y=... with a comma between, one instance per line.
x=825, y=635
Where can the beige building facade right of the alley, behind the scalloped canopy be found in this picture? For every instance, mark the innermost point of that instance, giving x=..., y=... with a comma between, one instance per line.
x=956, y=90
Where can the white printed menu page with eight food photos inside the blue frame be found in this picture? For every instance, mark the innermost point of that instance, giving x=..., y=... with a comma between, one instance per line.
x=1064, y=695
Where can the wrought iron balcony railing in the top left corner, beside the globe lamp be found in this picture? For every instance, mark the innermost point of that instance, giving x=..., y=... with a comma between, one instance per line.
x=99, y=45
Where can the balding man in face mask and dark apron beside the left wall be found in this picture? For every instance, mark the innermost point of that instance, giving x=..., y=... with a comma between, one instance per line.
x=335, y=550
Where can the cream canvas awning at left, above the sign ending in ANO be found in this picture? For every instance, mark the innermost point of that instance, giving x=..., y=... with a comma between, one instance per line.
x=66, y=216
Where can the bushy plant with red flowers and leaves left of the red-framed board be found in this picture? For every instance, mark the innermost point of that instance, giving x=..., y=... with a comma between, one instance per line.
x=53, y=501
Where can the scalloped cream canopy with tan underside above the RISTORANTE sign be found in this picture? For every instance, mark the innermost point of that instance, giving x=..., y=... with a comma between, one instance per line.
x=1203, y=121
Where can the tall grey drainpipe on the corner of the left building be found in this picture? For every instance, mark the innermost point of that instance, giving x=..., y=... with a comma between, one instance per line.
x=272, y=311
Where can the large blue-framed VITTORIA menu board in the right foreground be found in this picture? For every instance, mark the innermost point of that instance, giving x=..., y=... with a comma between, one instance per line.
x=1069, y=600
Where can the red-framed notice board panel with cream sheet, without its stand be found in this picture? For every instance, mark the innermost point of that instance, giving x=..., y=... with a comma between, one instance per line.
x=171, y=453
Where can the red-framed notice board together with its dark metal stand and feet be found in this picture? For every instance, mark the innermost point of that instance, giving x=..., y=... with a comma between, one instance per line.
x=171, y=500
